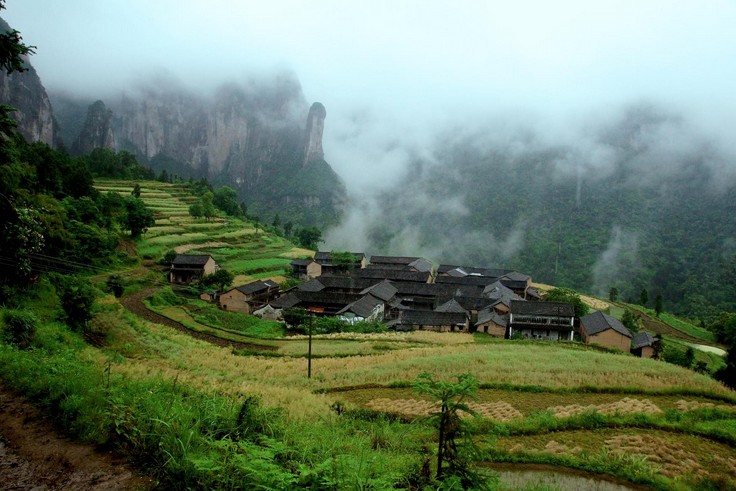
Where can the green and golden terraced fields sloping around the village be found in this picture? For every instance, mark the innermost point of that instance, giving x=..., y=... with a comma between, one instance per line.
x=223, y=401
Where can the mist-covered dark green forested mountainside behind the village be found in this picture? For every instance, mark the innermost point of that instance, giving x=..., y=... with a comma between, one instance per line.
x=631, y=213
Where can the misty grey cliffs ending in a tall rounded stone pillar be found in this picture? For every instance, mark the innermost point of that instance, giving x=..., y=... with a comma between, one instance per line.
x=261, y=138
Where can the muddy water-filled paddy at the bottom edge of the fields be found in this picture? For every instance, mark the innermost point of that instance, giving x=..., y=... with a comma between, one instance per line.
x=521, y=477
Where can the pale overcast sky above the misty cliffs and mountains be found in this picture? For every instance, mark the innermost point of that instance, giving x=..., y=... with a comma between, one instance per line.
x=405, y=64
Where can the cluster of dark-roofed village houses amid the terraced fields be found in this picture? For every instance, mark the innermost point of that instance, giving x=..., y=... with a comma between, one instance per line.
x=407, y=293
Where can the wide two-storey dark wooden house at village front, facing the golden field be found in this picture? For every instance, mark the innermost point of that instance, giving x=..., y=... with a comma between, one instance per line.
x=542, y=320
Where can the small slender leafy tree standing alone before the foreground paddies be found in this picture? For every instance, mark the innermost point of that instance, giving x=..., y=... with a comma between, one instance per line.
x=453, y=461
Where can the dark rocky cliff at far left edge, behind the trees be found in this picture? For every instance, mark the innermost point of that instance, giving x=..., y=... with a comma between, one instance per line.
x=24, y=91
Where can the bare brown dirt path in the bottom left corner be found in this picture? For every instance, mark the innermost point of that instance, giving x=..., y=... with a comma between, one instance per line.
x=33, y=456
